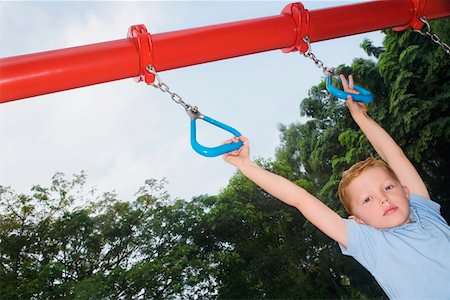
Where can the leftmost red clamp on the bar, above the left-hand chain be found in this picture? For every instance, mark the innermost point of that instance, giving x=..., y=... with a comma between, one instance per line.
x=143, y=42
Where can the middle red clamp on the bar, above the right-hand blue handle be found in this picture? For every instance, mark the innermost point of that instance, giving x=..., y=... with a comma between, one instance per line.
x=300, y=15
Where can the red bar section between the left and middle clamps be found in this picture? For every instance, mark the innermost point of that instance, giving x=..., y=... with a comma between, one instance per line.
x=205, y=44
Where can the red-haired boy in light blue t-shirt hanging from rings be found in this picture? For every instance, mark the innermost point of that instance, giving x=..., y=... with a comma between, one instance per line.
x=394, y=229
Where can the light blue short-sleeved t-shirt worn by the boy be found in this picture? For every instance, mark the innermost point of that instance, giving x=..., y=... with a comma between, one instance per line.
x=411, y=261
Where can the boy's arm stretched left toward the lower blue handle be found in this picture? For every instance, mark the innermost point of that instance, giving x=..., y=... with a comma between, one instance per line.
x=319, y=214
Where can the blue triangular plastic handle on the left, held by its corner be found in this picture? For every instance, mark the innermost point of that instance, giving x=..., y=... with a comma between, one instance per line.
x=213, y=151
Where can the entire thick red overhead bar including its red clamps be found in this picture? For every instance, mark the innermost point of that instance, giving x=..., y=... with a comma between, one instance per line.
x=47, y=72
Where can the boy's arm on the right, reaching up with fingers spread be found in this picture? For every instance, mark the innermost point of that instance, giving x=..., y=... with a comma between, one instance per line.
x=385, y=145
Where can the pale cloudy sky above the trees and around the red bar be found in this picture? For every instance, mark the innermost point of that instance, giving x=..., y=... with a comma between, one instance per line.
x=122, y=133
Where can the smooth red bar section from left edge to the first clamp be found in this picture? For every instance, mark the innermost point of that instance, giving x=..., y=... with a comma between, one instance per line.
x=52, y=71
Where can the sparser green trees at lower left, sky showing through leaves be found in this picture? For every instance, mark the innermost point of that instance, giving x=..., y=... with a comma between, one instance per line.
x=51, y=248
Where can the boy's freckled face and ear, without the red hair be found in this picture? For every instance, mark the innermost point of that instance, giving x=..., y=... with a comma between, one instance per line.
x=378, y=200
